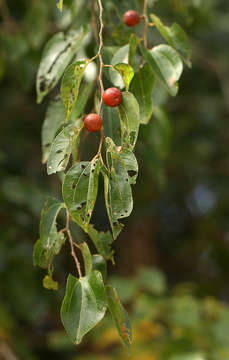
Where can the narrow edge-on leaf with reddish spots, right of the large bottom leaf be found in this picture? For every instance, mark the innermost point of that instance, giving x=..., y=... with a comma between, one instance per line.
x=119, y=316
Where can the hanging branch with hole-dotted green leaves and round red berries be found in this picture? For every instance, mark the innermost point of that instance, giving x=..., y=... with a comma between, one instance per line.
x=130, y=73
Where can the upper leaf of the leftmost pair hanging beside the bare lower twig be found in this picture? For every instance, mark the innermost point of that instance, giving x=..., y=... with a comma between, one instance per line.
x=49, y=237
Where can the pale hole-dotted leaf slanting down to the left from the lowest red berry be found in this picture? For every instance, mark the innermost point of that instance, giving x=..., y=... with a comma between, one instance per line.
x=62, y=147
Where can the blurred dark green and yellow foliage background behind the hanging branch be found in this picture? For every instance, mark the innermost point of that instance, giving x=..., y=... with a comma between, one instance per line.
x=172, y=258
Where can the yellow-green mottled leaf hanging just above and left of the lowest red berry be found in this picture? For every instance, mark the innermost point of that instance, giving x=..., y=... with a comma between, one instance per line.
x=70, y=85
